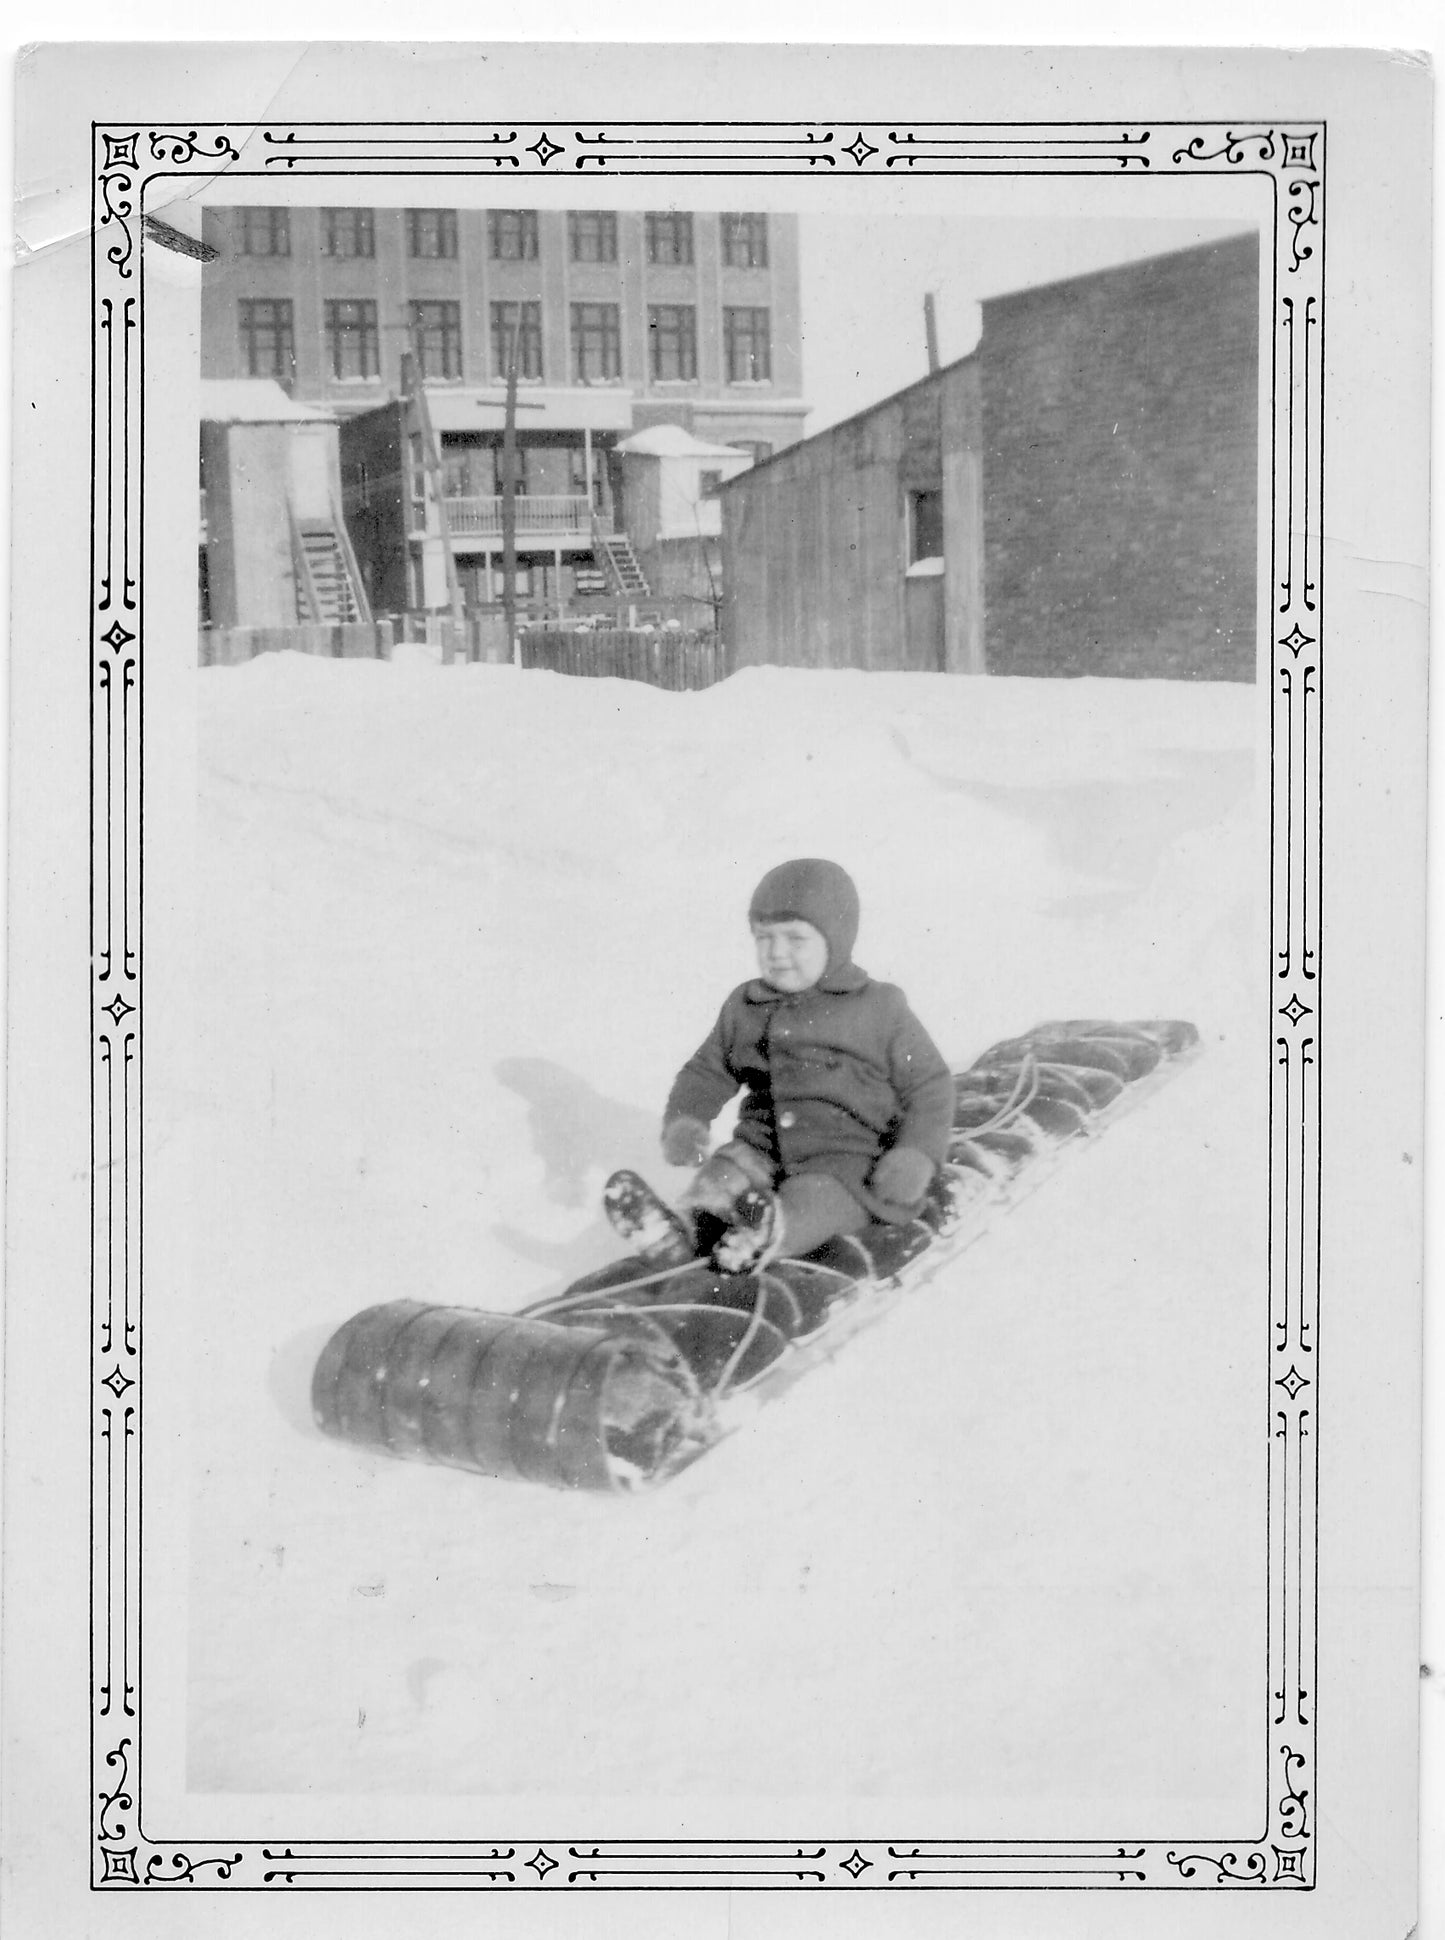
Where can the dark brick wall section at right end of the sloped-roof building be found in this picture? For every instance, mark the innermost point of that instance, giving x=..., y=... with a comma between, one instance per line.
x=1120, y=470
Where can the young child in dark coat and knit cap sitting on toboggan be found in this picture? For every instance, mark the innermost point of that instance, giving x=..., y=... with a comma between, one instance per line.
x=849, y=1103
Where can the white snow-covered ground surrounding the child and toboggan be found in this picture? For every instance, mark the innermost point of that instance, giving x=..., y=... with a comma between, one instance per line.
x=1006, y=1553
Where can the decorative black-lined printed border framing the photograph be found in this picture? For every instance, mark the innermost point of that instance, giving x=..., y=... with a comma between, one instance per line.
x=1281, y=1852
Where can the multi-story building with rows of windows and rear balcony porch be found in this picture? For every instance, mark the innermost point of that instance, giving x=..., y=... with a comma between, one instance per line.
x=618, y=321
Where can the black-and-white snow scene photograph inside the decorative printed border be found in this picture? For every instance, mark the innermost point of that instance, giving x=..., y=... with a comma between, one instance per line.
x=959, y=688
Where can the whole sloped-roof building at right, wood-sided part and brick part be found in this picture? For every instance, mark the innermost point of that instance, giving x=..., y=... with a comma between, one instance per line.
x=1079, y=496
